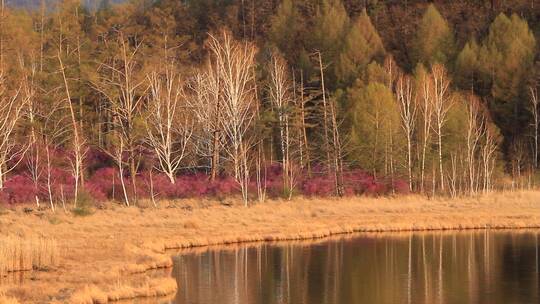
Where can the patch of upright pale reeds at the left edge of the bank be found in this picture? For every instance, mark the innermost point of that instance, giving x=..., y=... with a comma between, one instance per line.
x=27, y=253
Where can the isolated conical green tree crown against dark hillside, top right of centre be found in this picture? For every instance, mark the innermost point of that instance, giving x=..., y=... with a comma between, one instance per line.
x=434, y=41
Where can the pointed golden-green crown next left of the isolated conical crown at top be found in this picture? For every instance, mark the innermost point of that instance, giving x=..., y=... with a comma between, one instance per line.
x=362, y=45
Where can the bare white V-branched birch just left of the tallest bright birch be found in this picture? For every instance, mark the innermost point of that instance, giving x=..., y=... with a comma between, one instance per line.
x=169, y=125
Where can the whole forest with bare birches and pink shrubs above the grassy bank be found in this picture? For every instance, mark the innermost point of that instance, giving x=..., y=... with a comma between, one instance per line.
x=169, y=99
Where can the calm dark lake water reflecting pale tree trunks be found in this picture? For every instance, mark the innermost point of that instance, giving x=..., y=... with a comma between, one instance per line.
x=458, y=267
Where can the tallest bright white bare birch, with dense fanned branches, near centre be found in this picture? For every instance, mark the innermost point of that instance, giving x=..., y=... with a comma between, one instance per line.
x=234, y=61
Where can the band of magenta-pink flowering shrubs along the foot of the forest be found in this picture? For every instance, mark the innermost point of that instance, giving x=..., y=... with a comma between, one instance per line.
x=103, y=182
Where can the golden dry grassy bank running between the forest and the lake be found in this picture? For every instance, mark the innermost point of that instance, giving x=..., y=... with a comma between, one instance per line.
x=108, y=255
